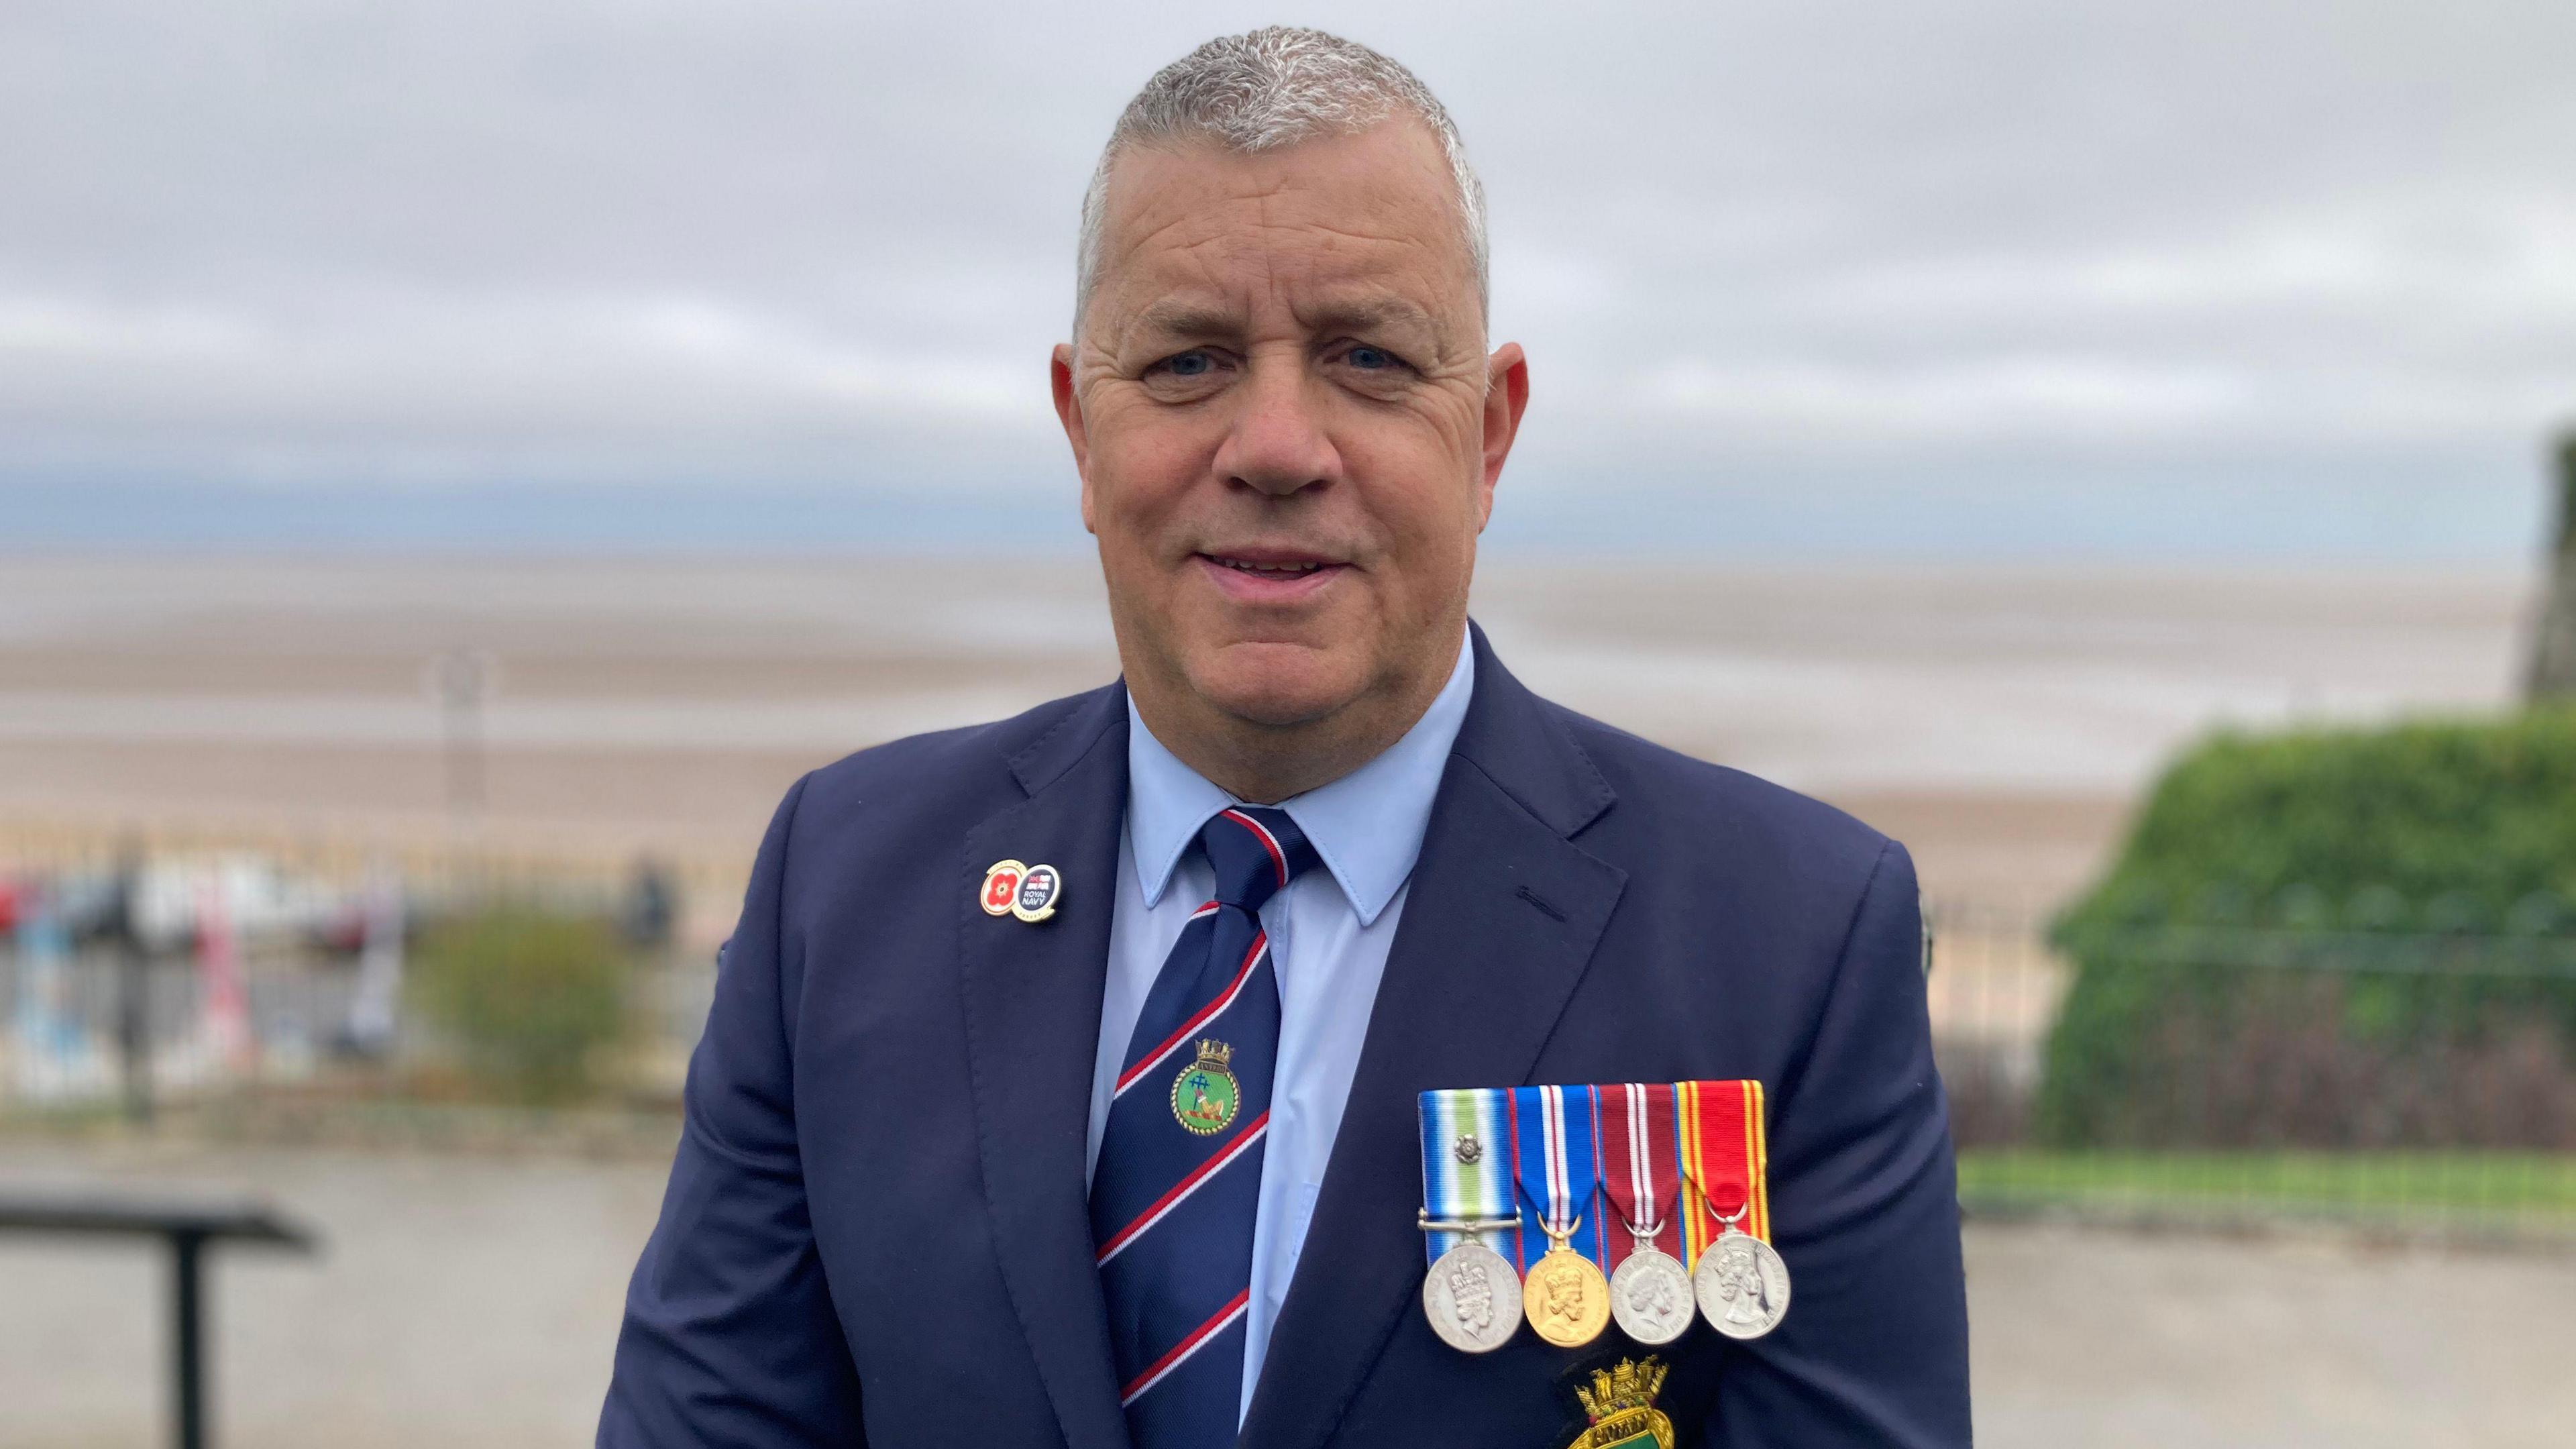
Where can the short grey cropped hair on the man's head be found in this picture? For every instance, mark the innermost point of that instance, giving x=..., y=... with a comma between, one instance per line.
x=1271, y=89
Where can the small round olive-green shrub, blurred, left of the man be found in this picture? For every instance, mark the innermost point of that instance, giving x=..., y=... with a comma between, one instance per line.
x=532, y=999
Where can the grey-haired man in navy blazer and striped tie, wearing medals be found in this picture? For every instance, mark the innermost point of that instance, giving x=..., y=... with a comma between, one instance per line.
x=1318, y=852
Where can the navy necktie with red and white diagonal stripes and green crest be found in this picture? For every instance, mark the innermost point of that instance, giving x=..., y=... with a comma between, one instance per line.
x=1181, y=1164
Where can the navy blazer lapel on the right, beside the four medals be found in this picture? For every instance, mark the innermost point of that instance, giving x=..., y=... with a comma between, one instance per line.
x=1498, y=932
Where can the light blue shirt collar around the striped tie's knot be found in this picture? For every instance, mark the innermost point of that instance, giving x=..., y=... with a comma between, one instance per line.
x=1367, y=826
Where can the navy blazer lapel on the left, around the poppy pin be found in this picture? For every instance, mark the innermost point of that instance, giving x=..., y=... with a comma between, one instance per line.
x=1032, y=1033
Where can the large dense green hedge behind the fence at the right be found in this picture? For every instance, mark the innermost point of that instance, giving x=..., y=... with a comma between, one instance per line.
x=2333, y=937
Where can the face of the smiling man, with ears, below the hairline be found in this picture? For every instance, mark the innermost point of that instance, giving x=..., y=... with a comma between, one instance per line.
x=1287, y=424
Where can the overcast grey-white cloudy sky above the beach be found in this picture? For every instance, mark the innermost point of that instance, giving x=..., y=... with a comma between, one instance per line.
x=2013, y=277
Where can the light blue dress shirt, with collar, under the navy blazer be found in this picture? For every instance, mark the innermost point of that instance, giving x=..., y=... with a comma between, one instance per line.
x=1328, y=945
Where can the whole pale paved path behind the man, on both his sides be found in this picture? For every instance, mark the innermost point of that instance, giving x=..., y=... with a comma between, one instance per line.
x=473, y=1301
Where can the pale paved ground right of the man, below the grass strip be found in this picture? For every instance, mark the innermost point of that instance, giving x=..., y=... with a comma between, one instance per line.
x=2124, y=1342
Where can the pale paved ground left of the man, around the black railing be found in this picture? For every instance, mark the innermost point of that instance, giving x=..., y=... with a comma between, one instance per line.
x=460, y=1301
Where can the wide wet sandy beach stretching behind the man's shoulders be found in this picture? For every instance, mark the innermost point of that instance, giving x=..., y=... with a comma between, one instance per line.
x=2000, y=721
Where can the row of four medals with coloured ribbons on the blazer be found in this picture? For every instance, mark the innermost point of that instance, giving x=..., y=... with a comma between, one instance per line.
x=1637, y=1205
